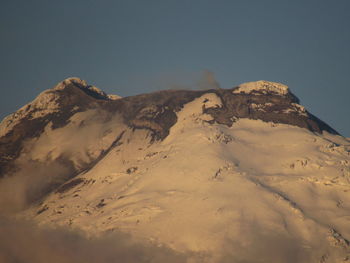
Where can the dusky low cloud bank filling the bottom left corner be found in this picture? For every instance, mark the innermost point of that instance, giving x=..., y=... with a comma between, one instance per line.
x=24, y=242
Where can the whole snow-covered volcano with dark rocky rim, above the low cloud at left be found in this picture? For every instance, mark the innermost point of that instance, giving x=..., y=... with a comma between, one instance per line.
x=239, y=175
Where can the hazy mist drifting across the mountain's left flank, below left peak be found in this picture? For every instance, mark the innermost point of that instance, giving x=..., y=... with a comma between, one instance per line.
x=57, y=156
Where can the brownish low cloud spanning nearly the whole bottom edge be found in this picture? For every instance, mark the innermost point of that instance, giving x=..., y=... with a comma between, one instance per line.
x=25, y=242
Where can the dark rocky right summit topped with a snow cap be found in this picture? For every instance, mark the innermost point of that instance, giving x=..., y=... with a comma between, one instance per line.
x=259, y=101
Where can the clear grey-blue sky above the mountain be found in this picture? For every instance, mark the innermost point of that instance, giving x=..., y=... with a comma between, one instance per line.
x=131, y=47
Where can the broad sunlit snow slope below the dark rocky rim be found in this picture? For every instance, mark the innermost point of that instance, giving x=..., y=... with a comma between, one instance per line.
x=252, y=192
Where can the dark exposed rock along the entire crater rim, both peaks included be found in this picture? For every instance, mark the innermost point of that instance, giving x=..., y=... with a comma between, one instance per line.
x=267, y=101
